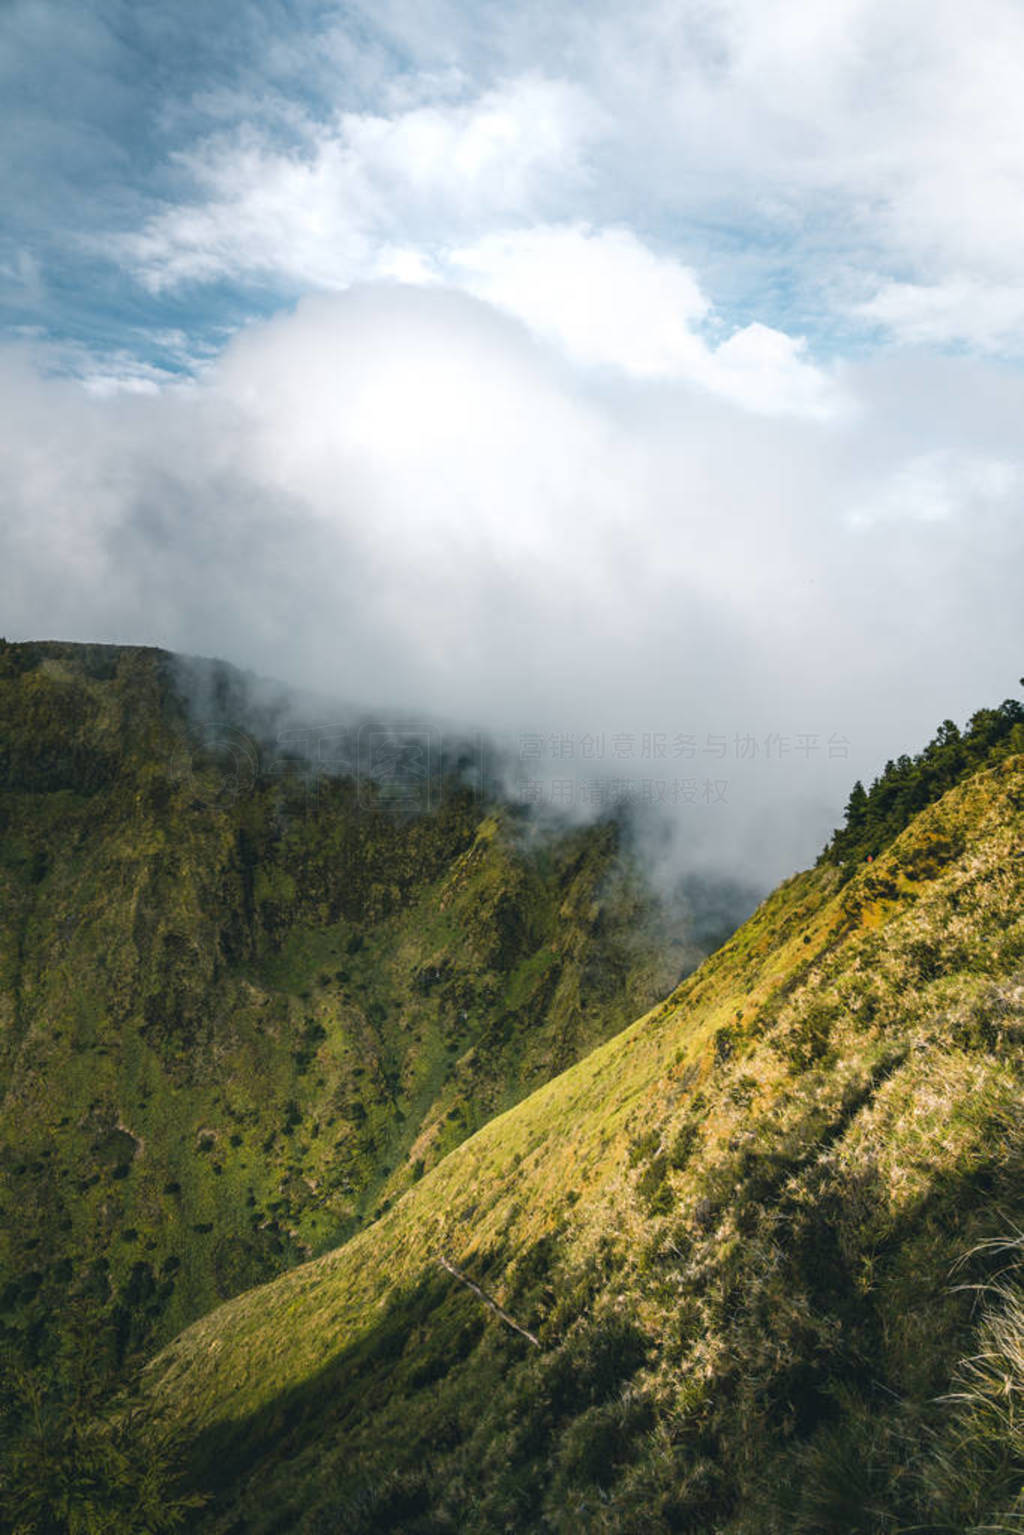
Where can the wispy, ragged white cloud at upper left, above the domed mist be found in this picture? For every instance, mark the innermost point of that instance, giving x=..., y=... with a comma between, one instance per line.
x=328, y=216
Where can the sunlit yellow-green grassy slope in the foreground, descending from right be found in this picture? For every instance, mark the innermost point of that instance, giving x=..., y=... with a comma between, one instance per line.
x=733, y=1229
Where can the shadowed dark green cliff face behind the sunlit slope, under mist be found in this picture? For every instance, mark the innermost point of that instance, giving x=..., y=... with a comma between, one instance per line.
x=239, y=1017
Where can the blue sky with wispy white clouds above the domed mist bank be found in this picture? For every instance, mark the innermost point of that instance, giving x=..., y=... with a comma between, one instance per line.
x=850, y=179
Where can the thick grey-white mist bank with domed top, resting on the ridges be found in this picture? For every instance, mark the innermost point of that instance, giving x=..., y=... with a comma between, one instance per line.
x=401, y=501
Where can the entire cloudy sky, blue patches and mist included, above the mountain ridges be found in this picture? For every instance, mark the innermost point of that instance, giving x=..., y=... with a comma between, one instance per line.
x=580, y=374
